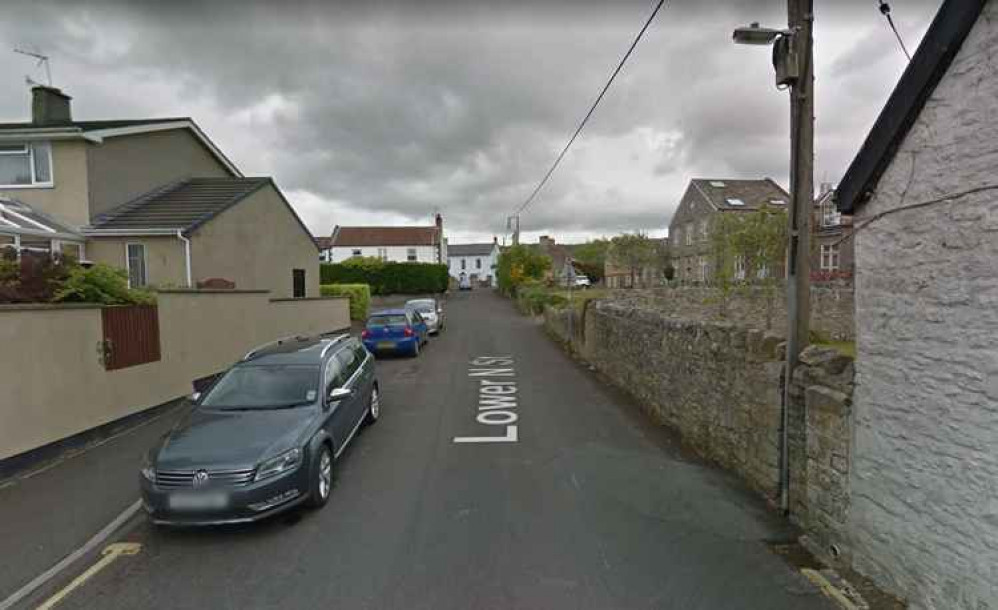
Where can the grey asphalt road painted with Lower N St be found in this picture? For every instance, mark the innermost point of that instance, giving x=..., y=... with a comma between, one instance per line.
x=591, y=507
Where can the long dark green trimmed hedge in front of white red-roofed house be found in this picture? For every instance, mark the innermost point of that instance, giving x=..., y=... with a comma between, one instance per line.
x=388, y=278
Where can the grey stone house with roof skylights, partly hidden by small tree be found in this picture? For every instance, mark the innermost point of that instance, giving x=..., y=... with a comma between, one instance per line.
x=689, y=229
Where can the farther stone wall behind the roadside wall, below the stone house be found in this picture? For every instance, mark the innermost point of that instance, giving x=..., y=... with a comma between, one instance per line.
x=756, y=307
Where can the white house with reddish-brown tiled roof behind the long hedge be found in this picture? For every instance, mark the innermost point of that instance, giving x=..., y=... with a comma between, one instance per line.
x=395, y=244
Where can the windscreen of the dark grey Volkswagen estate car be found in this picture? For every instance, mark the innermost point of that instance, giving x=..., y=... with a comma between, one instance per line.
x=264, y=387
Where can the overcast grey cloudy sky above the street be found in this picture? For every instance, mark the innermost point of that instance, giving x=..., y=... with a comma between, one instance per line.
x=382, y=113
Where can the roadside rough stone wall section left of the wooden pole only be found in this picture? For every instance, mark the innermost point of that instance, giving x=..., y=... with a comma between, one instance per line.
x=717, y=384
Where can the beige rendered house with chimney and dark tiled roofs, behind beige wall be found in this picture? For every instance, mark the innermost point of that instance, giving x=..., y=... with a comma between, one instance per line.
x=153, y=196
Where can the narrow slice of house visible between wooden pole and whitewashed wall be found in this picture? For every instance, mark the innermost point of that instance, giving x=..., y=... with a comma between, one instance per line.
x=832, y=245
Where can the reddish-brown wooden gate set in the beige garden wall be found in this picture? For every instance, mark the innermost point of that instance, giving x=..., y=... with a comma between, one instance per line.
x=131, y=336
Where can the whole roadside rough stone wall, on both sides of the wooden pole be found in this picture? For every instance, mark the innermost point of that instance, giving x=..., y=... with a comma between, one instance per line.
x=720, y=386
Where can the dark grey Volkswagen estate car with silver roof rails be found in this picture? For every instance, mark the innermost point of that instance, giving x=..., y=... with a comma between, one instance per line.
x=265, y=436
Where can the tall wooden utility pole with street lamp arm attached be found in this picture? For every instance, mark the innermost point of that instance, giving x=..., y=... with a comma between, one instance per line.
x=792, y=55
